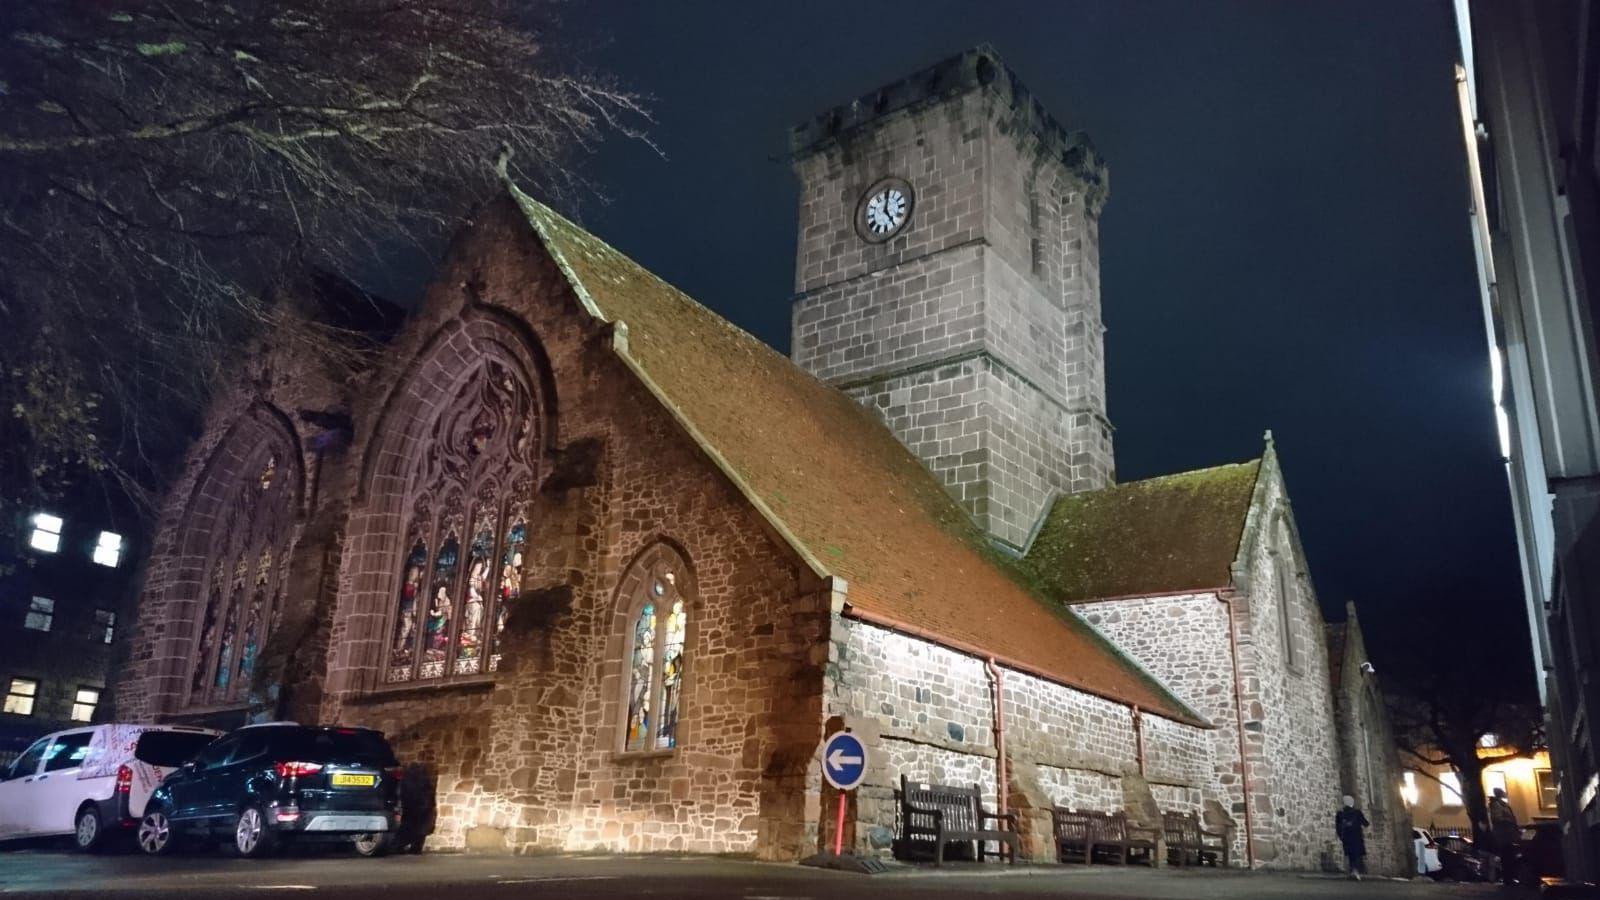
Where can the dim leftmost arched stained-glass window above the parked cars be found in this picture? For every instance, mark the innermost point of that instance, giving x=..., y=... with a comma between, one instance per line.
x=244, y=593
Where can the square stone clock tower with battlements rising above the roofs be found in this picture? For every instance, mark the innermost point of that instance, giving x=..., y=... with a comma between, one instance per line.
x=948, y=278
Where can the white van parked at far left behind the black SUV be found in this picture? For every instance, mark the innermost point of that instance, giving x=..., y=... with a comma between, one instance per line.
x=92, y=782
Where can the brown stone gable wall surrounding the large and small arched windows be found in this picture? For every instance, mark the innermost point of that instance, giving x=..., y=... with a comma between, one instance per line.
x=534, y=758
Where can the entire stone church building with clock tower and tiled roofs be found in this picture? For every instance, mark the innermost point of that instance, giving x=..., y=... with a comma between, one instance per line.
x=612, y=569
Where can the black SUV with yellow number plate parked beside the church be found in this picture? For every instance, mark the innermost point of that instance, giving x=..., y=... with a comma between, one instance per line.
x=268, y=784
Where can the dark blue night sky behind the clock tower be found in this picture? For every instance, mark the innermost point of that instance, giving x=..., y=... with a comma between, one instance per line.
x=1286, y=247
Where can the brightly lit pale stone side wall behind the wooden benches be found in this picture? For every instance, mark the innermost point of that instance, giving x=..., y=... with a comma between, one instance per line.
x=929, y=713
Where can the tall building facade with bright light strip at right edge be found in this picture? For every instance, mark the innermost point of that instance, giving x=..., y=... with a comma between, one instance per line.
x=1530, y=95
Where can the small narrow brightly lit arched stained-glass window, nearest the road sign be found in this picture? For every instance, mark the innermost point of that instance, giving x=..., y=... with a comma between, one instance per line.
x=655, y=592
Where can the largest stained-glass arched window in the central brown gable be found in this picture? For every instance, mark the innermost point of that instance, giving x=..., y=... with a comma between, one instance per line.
x=463, y=560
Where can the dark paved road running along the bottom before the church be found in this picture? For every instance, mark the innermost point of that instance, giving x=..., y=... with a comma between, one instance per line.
x=438, y=877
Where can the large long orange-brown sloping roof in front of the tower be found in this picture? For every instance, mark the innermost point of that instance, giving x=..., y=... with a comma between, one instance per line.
x=836, y=484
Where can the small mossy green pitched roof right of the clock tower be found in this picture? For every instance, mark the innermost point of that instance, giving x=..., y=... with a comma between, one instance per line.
x=1153, y=537
